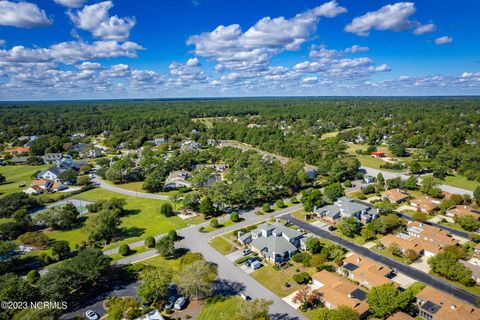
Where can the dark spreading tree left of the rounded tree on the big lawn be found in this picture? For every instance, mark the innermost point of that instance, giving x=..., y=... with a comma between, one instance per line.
x=59, y=217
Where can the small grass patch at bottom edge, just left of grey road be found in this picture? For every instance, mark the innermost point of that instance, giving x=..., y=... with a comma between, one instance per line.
x=220, y=308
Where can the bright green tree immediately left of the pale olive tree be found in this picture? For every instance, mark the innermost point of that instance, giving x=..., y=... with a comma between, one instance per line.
x=154, y=285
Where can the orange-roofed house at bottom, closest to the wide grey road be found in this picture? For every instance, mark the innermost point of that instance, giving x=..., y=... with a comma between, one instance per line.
x=337, y=291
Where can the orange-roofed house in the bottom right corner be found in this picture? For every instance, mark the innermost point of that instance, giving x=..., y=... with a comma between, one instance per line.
x=436, y=305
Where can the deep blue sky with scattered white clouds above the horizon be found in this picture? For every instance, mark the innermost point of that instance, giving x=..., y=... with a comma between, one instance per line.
x=83, y=49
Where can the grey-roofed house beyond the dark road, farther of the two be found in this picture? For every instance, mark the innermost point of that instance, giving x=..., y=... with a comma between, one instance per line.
x=345, y=208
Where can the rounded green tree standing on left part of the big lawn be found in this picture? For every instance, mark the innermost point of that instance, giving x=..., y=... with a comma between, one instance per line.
x=103, y=226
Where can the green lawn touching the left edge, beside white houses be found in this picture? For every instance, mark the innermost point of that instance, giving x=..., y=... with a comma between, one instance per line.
x=16, y=174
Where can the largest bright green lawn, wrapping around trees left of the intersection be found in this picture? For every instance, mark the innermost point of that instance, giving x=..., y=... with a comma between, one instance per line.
x=141, y=221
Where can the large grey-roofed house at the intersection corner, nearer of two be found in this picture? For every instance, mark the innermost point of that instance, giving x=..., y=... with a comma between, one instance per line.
x=273, y=241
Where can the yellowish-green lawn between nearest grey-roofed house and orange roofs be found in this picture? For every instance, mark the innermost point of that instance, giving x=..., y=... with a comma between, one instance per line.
x=274, y=280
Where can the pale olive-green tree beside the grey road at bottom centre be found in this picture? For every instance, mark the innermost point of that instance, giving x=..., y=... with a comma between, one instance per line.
x=196, y=279
